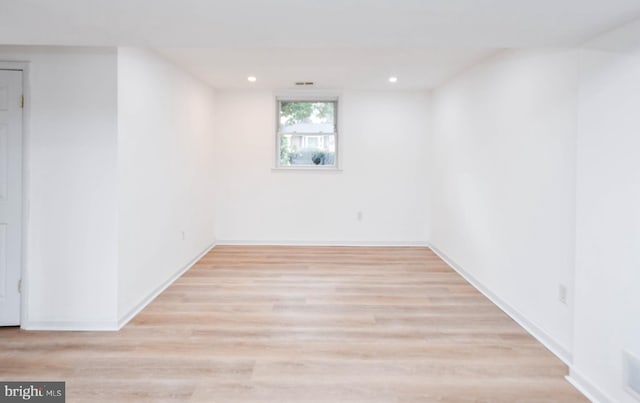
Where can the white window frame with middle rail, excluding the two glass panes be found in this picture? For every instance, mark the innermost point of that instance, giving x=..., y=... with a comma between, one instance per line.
x=336, y=131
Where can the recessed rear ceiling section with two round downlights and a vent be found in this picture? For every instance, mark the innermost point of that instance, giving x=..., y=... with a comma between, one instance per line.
x=365, y=69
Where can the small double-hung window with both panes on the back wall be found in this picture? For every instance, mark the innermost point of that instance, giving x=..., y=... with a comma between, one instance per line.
x=307, y=133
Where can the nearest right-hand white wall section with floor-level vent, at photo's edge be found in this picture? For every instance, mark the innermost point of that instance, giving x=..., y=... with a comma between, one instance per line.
x=607, y=317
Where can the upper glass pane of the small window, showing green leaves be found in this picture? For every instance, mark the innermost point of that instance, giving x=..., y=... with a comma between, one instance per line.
x=307, y=117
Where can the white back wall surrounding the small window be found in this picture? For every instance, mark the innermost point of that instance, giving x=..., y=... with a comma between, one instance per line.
x=383, y=158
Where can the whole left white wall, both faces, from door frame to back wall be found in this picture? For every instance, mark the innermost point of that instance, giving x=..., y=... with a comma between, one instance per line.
x=119, y=164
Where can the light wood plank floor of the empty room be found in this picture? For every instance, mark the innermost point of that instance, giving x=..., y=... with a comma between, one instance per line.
x=295, y=324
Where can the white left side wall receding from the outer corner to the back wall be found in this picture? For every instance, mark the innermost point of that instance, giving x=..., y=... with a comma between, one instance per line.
x=165, y=168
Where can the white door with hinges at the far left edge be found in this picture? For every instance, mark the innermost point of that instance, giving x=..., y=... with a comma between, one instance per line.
x=10, y=195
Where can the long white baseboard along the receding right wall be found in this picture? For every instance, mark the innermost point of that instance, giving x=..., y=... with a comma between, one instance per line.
x=536, y=331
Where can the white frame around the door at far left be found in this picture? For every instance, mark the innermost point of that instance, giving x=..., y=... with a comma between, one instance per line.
x=26, y=130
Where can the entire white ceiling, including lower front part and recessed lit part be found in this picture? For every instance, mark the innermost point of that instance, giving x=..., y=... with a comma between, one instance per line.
x=336, y=43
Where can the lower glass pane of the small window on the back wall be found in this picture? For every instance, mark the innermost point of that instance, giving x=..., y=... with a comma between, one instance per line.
x=309, y=150
